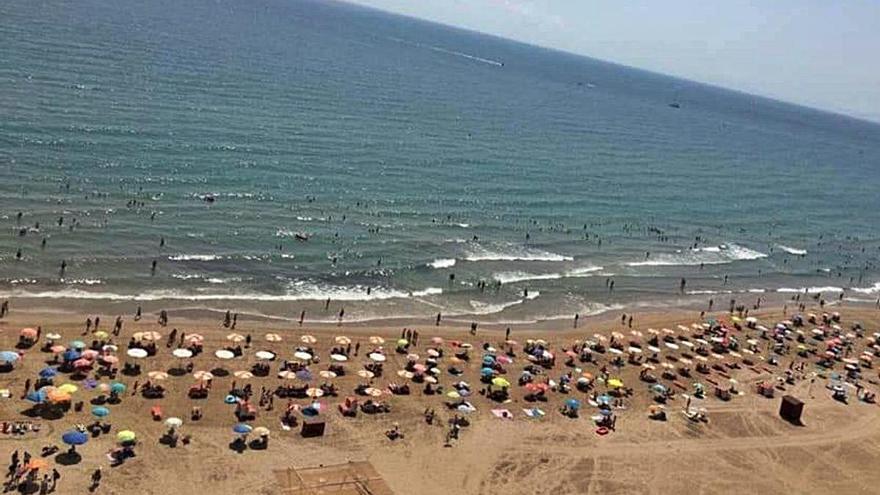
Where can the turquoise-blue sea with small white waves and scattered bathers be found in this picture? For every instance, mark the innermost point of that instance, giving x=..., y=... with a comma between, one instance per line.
x=407, y=153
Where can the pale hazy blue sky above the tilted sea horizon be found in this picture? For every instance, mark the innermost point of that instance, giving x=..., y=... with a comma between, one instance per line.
x=819, y=53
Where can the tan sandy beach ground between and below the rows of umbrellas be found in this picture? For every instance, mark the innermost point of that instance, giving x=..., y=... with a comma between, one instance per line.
x=744, y=445
